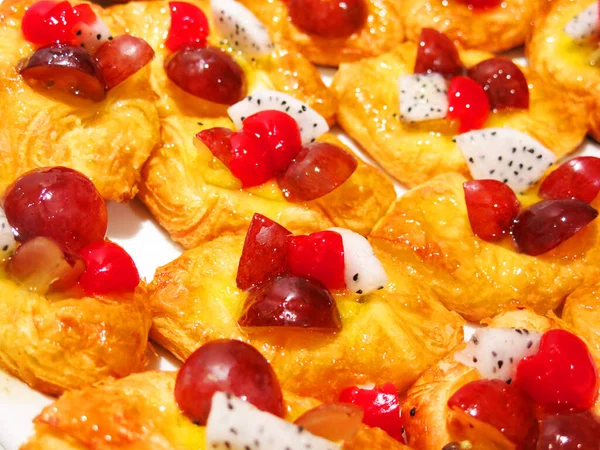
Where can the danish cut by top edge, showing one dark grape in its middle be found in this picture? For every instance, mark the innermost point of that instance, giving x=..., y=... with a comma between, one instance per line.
x=332, y=32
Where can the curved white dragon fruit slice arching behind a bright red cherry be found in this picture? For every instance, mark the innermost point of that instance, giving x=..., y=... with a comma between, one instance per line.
x=311, y=123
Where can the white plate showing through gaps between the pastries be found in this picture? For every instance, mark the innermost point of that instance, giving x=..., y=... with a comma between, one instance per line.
x=131, y=226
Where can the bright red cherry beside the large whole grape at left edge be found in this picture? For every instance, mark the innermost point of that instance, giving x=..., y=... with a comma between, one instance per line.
x=108, y=269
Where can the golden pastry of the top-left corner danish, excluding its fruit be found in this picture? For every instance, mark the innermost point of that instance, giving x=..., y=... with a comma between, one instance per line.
x=108, y=141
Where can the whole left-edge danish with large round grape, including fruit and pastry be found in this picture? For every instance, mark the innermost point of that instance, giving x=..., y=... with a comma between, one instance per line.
x=68, y=314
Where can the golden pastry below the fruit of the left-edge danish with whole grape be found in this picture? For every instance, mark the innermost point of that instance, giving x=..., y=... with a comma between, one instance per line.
x=59, y=343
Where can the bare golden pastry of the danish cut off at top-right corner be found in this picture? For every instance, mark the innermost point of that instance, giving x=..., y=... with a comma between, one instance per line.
x=560, y=61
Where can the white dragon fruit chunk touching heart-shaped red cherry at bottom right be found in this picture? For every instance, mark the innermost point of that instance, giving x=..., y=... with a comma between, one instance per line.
x=496, y=352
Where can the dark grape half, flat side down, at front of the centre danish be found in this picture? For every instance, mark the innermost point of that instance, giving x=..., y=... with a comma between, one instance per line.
x=291, y=302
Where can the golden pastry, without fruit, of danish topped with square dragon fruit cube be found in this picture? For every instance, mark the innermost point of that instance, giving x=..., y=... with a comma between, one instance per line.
x=415, y=152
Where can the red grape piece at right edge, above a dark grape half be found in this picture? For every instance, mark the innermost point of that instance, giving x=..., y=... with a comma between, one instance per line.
x=577, y=178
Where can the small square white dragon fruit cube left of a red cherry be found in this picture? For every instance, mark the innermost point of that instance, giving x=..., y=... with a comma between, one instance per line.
x=423, y=97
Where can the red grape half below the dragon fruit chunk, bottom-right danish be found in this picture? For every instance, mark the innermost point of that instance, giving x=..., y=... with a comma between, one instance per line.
x=497, y=404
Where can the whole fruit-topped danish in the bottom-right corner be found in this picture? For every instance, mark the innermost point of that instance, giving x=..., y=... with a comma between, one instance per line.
x=524, y=382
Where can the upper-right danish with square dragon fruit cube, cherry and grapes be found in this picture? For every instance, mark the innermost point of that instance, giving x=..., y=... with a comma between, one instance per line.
x=406, y=107
